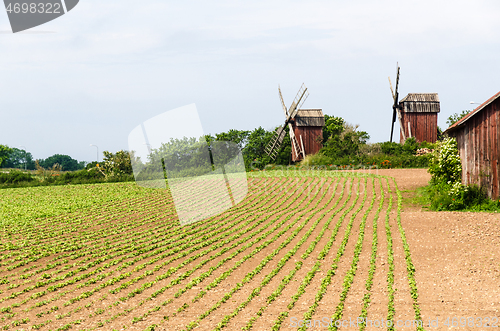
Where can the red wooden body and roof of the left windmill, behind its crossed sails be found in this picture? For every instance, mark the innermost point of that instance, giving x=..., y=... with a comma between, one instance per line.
x=308, y=128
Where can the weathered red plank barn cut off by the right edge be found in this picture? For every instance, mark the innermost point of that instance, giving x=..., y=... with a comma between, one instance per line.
x=478, y=138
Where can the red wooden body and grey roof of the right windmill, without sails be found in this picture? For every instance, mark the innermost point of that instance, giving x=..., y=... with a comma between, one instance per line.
x=419, y=116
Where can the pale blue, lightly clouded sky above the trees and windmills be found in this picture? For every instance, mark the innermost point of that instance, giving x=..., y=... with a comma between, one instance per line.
x=94, y=74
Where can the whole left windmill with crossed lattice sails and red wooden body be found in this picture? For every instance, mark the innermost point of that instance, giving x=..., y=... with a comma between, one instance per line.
x=305, y=128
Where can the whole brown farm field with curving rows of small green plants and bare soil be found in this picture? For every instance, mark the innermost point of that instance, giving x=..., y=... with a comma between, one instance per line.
x=300, y=251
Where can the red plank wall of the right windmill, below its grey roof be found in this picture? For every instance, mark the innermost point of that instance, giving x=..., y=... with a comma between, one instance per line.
x=423, y=126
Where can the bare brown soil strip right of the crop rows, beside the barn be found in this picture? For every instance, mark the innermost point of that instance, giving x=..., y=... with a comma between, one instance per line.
x=457, y=258
